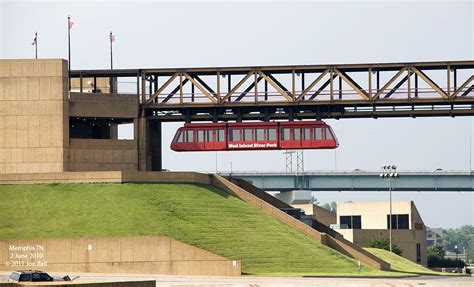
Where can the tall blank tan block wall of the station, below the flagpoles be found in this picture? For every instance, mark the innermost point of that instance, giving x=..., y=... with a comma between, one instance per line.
x=33, y=116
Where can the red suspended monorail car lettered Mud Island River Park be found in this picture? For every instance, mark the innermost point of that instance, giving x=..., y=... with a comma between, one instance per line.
x=254, y=136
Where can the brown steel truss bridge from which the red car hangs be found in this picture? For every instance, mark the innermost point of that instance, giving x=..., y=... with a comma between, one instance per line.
x=298, y=92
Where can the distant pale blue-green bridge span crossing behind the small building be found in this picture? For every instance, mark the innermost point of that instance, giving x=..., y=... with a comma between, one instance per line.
x=436, y=181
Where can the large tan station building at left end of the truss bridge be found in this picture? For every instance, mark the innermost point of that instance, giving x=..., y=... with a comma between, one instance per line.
x=46, y=128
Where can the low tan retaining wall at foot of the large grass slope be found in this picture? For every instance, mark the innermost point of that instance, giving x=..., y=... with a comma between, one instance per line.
x=140, y=255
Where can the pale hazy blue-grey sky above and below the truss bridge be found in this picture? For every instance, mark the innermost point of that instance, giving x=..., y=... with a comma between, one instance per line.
x=193, y=34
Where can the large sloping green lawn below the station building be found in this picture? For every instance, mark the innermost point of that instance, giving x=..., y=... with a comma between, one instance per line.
x=202, y=216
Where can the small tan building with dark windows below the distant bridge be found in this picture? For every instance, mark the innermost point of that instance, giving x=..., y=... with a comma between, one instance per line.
x=360, y=222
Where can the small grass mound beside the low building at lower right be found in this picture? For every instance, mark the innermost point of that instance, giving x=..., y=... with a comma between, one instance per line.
x=401, y=264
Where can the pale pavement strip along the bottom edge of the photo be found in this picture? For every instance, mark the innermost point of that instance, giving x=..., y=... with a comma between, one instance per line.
x=260, y=281
